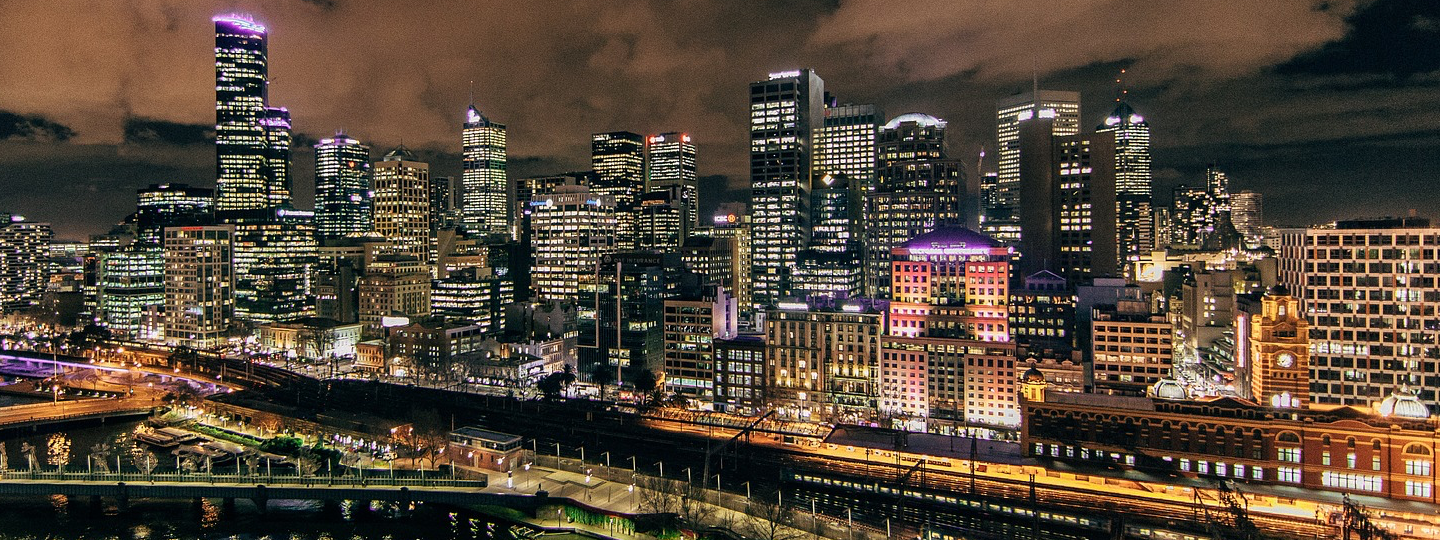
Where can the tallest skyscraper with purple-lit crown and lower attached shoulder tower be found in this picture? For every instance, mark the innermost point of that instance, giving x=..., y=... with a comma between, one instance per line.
x=253, y=139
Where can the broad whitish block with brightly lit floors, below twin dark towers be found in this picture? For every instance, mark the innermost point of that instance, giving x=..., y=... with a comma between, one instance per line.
x=572, y=230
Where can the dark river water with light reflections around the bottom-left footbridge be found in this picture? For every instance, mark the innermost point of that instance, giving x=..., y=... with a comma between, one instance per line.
x=58, y=518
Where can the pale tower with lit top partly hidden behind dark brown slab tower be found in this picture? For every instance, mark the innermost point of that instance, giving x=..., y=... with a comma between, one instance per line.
x=1003, y=220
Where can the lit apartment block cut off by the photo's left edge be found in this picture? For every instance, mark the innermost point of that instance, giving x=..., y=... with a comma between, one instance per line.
x=24, y=248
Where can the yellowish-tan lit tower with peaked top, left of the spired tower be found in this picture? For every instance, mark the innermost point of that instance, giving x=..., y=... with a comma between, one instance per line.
x=402, y=204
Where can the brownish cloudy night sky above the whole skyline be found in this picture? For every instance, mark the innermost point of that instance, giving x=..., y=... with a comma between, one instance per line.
x=1330, y=109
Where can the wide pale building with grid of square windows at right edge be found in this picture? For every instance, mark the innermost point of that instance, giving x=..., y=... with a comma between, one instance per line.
x=1369, y=290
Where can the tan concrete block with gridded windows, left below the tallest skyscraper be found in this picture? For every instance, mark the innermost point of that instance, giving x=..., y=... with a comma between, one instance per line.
x=199, y=286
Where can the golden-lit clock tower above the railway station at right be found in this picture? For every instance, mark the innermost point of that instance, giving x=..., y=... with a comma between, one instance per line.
x=1279, y=352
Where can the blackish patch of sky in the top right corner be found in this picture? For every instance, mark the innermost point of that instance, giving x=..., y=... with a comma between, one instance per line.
x=1396, y=38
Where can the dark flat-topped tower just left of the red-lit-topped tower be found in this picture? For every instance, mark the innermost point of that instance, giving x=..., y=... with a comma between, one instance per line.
x=618, y=159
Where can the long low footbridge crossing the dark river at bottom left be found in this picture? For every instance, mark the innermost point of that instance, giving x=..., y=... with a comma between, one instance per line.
x=258, y=489
